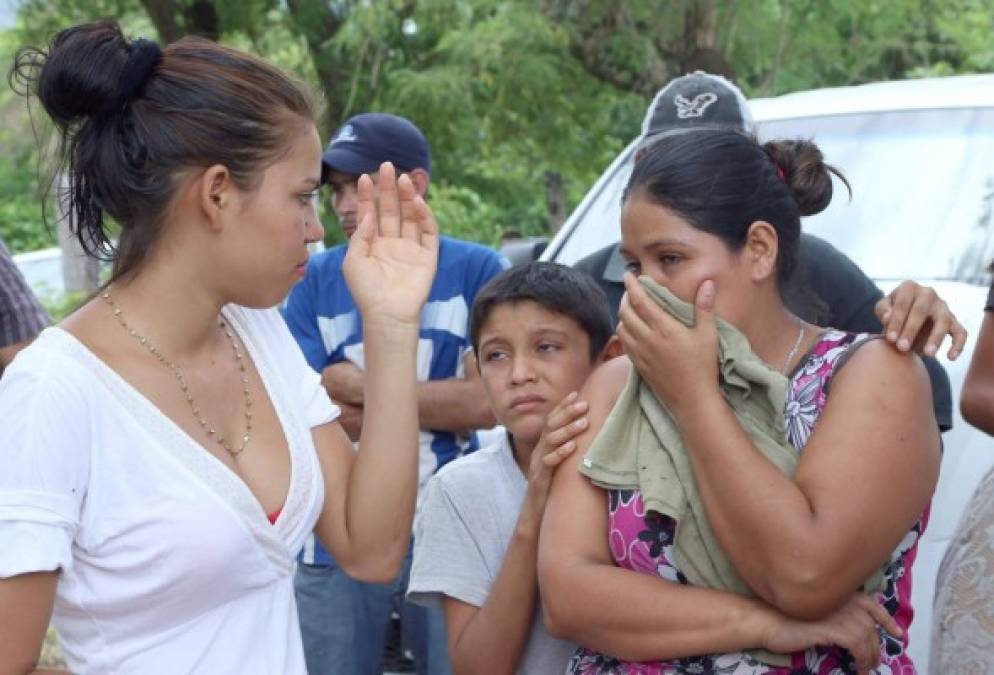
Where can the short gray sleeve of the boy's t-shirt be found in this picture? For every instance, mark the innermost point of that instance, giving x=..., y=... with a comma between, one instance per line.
x=448, y=559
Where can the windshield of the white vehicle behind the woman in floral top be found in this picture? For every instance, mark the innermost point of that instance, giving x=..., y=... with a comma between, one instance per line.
x=923, y=193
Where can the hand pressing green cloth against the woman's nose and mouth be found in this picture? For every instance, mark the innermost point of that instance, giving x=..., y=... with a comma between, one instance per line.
x=675, y=360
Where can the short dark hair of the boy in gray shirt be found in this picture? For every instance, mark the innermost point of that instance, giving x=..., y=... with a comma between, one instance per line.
x=555, y=287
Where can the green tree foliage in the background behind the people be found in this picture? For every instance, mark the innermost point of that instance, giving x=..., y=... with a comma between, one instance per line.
x=514, y=94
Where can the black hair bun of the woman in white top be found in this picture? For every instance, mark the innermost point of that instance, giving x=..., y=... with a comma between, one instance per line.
x=79, y=75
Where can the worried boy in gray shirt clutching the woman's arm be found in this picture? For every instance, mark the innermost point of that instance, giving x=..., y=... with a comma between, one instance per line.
x=537, y=331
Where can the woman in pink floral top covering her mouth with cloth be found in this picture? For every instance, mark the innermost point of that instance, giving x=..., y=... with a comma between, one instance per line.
x=751, y=491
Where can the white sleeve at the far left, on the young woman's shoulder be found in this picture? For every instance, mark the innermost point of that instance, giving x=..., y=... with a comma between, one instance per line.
x=45, y=442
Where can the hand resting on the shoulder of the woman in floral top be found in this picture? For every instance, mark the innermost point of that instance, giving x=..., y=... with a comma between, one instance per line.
x=914, y=316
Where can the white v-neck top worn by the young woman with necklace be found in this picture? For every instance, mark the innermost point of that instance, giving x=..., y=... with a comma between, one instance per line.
x=168, y=562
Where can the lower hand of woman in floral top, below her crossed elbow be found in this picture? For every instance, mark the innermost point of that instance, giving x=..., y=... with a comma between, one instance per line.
x=854, y=627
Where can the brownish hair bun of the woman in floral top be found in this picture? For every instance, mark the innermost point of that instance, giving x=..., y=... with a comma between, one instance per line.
x=805, y=172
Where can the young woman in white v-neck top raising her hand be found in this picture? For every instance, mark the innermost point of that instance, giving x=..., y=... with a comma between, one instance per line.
x=166, y=449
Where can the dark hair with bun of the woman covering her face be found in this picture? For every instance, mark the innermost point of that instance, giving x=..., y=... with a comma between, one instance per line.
x=722, y=181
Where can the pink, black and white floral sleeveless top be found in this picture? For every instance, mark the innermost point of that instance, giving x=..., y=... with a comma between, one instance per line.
x=642, y=541
